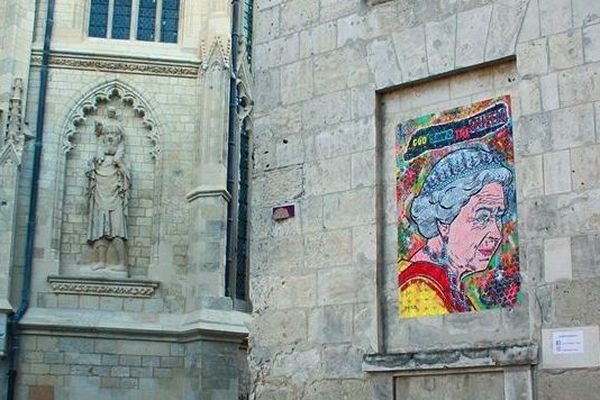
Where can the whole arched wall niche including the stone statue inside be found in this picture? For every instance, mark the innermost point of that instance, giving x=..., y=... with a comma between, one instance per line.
x=108, y=220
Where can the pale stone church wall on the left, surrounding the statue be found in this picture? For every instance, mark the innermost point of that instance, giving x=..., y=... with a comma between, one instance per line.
x=167, y=329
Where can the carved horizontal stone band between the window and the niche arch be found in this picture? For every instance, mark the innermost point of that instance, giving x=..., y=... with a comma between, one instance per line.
x=124, y=65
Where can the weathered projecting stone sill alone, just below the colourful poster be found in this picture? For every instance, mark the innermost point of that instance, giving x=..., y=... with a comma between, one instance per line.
x=492, y=356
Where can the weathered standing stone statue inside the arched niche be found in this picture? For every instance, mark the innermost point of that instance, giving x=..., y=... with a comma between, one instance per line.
x=109, y=185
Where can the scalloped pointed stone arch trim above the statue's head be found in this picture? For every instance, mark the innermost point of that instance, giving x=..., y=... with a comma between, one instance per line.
x=103, y=93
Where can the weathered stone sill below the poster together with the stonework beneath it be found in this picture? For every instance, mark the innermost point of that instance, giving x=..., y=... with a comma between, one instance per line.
x=501, y=371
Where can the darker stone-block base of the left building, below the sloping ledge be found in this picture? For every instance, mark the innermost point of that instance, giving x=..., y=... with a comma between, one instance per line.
x=74, y=368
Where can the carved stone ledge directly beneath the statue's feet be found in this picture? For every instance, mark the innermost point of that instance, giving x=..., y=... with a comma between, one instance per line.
x=102, y=287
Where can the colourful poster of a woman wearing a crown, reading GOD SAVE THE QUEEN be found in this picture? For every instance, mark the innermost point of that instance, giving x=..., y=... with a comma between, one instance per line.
x=458, y=249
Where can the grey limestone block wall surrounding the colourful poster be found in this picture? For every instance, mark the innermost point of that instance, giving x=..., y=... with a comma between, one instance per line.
x=333, y=79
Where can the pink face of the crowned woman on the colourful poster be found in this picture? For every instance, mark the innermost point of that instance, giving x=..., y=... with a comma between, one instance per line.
x=475, y=234
